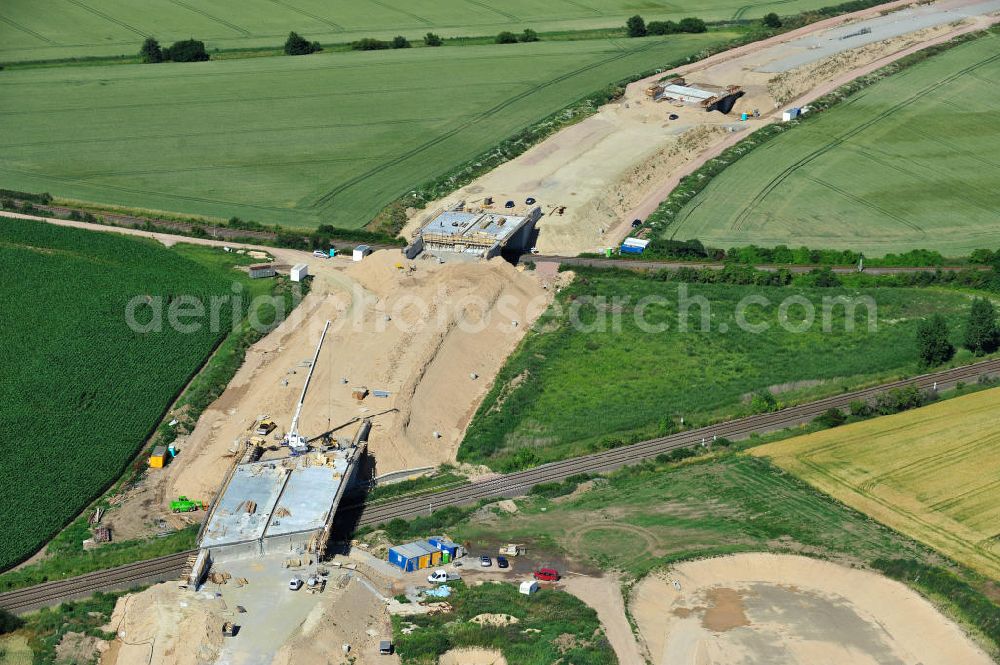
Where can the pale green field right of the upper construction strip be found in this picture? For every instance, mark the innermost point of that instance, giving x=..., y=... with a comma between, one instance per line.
x=910, y=162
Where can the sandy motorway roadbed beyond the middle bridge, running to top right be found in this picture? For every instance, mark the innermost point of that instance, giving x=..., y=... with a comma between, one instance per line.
x=619, y=164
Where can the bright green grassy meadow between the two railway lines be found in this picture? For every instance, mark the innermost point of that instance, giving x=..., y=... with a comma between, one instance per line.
x=568, y=391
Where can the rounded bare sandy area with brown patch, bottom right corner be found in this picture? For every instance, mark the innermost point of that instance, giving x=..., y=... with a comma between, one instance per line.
x=766, y=608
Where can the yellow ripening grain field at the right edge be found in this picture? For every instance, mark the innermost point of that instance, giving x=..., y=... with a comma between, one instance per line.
x=931, y=473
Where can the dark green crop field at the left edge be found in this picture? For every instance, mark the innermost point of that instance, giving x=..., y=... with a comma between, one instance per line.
x=81, y=390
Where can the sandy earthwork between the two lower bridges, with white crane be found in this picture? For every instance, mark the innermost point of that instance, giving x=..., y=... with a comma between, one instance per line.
x=434, y=336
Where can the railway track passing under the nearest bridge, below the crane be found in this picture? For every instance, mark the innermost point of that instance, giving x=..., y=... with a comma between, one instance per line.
x=509, y=485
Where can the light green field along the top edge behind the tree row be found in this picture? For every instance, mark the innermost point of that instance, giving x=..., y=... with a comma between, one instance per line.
x=47, y=29
